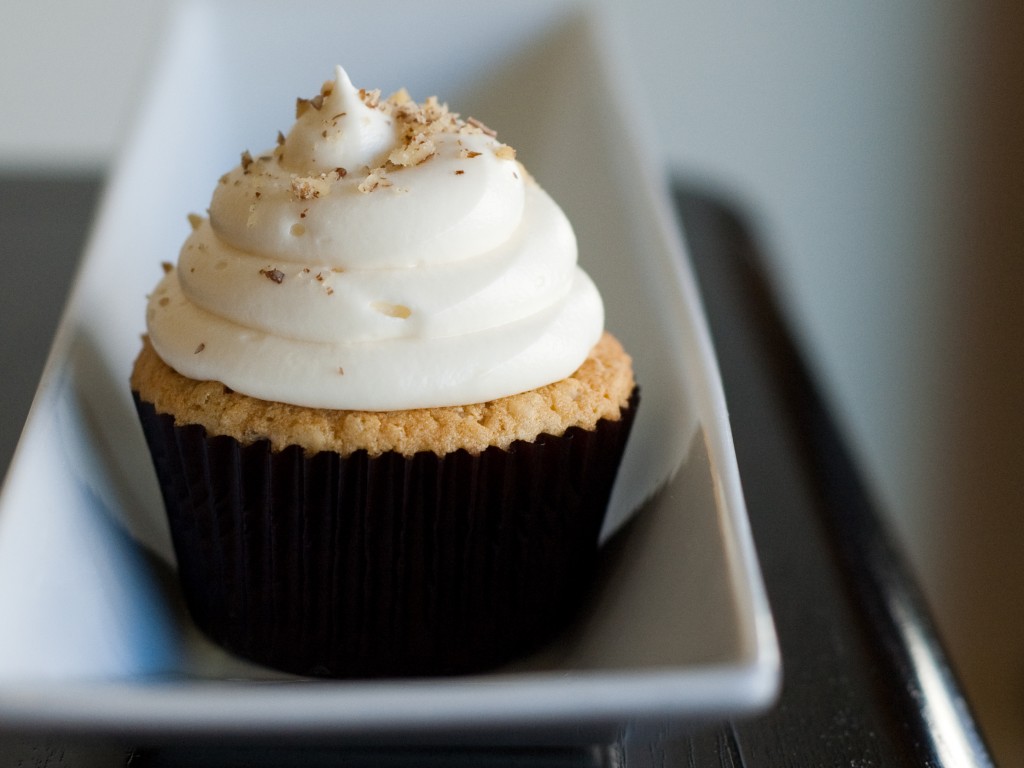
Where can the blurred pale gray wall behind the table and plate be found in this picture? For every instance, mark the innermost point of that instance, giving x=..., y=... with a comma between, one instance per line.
x=878, y=148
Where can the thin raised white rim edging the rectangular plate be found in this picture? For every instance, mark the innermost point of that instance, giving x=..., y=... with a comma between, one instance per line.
x=749, y=686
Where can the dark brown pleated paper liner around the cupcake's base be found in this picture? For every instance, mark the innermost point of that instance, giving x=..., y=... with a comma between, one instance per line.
x=393, y=566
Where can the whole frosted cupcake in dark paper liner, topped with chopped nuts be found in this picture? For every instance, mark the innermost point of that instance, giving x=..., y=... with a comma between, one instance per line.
x=381, y=404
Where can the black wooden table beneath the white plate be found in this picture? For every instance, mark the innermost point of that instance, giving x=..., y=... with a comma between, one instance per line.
x=866, y=680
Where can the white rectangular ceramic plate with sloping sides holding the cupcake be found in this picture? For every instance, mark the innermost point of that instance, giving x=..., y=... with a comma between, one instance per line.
x=94, y=637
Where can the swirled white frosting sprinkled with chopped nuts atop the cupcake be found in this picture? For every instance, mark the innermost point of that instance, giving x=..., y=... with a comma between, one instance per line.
x=383, y=257
